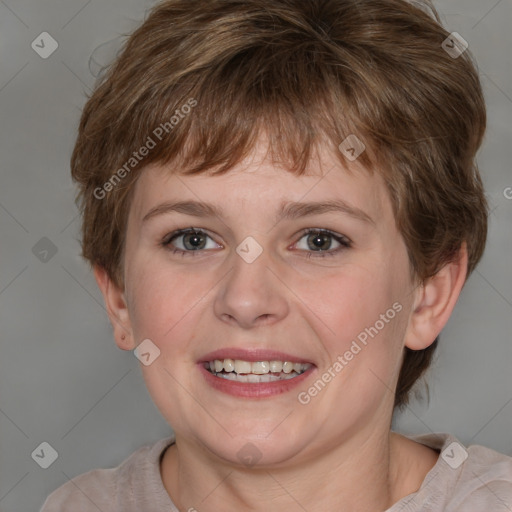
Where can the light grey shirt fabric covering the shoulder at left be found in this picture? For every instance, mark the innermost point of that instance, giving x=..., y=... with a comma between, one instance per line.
x=103, y=489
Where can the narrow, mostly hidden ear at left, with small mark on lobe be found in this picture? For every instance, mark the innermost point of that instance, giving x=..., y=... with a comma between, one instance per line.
x=117, y=309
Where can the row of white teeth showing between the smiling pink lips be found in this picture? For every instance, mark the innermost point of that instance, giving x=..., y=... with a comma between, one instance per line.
x=240, y=370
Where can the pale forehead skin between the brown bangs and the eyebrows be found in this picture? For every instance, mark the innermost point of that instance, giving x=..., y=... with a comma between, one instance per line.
x=259, y=187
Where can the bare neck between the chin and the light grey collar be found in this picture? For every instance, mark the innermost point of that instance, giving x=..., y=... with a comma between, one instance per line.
x=362, y=473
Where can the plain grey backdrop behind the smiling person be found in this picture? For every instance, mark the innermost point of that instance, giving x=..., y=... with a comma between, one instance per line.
x=63, y=380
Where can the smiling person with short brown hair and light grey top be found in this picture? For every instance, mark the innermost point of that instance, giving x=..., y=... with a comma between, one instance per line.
x=281, y=206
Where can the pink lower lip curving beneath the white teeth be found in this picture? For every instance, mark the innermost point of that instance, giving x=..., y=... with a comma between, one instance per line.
x=256, y=389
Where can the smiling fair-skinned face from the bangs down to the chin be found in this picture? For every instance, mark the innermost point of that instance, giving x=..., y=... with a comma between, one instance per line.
x=262, y=282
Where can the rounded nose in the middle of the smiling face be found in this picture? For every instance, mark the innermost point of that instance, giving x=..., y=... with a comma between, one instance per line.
x=251, y=295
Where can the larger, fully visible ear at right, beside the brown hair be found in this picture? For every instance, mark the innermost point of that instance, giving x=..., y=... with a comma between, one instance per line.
x=434, y=302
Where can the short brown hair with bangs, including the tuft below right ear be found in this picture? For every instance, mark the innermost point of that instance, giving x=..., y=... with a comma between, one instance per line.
x=307, y=73
